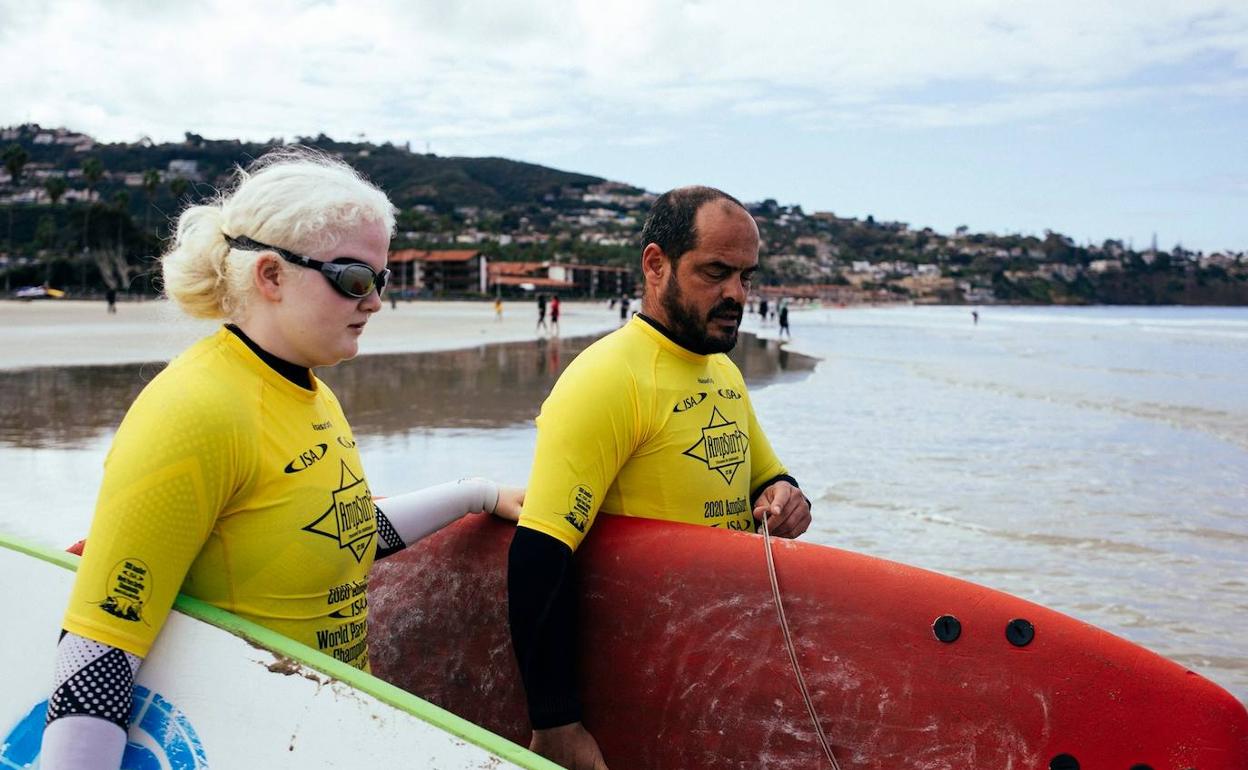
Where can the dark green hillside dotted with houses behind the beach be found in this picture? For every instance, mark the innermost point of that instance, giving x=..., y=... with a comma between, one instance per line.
x=517, y=212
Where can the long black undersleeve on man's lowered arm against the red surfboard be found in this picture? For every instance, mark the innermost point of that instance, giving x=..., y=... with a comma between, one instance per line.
x=542, y=593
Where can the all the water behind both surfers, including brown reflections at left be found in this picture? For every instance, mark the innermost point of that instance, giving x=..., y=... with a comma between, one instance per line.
x=1091, y=460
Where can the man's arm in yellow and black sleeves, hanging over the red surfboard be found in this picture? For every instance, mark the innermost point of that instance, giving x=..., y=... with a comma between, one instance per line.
x=587, y=431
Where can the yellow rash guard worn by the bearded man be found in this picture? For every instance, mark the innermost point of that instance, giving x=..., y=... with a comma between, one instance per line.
x=640, y=426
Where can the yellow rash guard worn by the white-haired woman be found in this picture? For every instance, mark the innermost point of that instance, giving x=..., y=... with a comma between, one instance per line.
x=235, y=486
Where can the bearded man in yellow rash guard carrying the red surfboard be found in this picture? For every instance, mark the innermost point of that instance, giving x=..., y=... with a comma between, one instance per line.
x=655, y=420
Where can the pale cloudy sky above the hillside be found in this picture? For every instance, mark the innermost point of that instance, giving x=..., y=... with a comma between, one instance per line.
x=474, y=69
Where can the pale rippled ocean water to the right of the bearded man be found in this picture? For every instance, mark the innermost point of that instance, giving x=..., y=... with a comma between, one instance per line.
x=1090, y=460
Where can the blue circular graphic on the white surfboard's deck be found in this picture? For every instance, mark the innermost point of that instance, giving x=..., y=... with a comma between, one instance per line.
x=162, y=738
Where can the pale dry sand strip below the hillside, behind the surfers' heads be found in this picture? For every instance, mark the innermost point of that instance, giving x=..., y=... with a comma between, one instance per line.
x=63, y=333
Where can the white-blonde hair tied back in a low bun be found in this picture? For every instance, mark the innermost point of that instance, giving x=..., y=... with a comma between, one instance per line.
x=295, y=198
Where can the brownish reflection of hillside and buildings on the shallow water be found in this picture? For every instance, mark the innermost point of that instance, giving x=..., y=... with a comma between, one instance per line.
x=484, y=387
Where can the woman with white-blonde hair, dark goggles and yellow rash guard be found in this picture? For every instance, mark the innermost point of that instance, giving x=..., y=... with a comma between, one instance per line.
x=225, y=476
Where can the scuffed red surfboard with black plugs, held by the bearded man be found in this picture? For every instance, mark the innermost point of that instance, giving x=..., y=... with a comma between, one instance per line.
x=685, y=666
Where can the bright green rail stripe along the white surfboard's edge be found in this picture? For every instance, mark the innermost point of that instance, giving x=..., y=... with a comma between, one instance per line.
x=323, y=663
